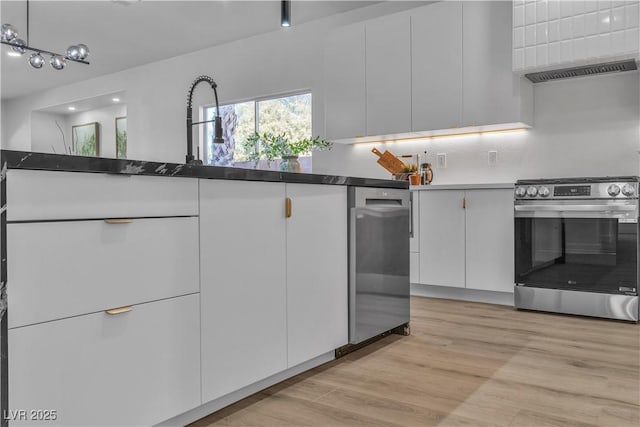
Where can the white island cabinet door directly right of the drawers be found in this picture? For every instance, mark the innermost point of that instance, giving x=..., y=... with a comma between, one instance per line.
x=243, y=284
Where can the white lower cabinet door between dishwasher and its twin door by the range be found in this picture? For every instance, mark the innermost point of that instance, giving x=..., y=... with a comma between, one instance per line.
x=442, y=235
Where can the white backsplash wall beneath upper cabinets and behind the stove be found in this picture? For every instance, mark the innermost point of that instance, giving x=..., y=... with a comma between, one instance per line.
x=582, y=127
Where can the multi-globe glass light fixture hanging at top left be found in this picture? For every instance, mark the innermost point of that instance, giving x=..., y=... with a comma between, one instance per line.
x=9, y=37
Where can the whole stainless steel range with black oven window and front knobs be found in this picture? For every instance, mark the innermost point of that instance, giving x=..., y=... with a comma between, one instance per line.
x=576, y=246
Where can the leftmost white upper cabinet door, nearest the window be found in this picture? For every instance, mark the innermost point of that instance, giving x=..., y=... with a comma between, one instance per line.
x=345, y=83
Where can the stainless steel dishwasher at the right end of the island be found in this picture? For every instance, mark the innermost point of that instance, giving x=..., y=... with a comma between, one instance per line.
x=379, y=229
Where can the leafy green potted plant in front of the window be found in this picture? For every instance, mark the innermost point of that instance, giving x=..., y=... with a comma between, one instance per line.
x=270, y=146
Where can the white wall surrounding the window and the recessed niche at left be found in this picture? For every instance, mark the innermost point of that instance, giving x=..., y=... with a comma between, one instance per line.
x=282, y=61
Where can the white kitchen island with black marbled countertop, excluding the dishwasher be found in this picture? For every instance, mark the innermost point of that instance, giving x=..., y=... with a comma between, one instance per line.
x=138, y=292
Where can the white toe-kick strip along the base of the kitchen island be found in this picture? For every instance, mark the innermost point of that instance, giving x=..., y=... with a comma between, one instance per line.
x=215, y=405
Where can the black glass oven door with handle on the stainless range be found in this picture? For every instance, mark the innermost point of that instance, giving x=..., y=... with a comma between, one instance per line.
x=589, y=246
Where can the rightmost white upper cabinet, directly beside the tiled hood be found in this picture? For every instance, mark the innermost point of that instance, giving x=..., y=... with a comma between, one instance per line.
x=493, y=94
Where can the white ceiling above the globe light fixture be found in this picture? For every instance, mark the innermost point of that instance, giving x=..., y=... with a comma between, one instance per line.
x=123, y=34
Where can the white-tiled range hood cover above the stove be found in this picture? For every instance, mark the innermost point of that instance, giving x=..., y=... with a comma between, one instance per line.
x=565, y=33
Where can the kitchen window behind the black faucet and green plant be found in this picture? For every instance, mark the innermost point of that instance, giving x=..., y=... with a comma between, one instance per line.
x=290, y=114
